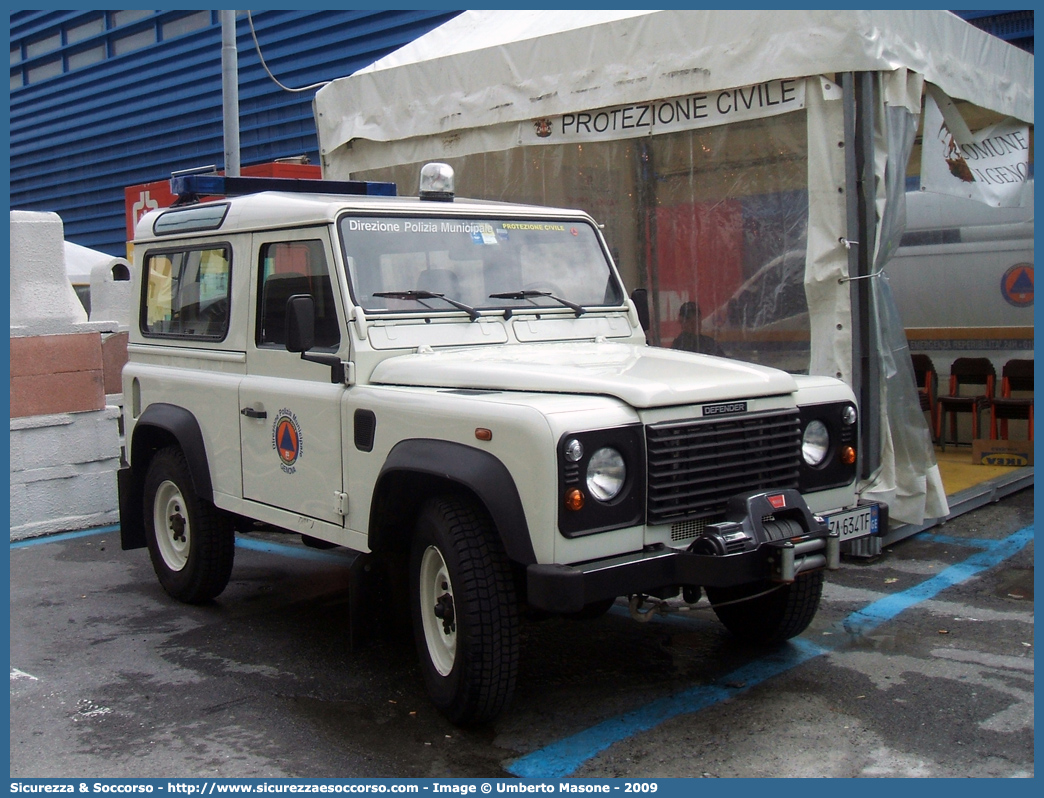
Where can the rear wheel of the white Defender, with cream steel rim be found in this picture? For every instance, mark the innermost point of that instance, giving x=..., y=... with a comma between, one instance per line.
x=192, y=544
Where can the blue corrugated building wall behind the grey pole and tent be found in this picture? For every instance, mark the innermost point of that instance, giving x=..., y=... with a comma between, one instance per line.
x=80, y=137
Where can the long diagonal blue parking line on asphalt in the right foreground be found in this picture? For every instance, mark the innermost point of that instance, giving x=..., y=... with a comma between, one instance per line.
x=566, y=756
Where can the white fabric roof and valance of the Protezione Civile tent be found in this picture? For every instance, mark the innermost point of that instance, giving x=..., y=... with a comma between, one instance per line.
x=491, y=68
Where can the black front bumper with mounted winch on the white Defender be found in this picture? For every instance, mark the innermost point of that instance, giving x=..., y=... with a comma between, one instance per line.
x=767, y=536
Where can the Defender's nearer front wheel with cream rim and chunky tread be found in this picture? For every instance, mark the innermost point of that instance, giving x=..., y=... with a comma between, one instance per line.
x=470, y=667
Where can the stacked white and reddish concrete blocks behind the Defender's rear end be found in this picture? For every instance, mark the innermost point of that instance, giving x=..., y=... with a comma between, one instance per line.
x=65, y=388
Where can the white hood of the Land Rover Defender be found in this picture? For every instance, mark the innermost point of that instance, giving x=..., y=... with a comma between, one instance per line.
x=640, y=377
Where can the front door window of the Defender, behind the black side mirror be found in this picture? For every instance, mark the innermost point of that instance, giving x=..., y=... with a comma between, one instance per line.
x=287, y=269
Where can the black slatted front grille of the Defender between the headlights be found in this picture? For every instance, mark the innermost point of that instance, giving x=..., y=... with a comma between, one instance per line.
x=696, y=466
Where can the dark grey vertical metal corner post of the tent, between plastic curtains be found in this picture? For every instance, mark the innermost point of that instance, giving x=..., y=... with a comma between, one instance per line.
x=862, y=222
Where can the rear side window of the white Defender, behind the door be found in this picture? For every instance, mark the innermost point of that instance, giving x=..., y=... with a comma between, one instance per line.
x=187, y=294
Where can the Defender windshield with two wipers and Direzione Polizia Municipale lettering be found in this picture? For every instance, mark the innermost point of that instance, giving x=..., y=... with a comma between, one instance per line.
x=405, y=264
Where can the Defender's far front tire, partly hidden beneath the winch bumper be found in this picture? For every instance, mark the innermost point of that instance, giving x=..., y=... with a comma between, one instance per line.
x=778, y=616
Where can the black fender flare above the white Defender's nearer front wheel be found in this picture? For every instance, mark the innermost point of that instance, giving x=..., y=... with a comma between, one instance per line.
x=479, y=472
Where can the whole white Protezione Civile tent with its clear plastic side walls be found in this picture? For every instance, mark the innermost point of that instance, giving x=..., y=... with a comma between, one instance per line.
x=747, y=161
